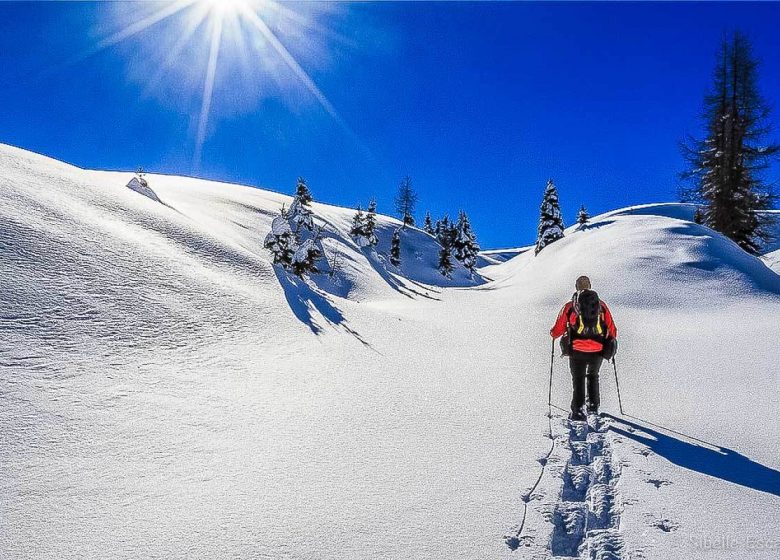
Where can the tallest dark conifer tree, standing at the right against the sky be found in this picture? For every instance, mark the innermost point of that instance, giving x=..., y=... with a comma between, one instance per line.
x=726, y=167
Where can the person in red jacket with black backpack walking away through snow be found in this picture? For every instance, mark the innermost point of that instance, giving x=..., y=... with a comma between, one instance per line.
x=589, y=335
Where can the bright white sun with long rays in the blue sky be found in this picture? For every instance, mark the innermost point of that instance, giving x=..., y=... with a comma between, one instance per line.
x=254, y=29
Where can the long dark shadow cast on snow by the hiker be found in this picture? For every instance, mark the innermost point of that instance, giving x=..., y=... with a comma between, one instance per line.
x=719, y=462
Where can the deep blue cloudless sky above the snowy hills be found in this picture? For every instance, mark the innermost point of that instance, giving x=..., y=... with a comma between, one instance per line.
x=479, y=103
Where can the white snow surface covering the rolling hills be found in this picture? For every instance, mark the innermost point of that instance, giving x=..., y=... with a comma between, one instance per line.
x=165, y=392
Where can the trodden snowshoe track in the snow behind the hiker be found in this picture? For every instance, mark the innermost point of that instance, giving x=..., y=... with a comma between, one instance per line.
x=586, y=518
